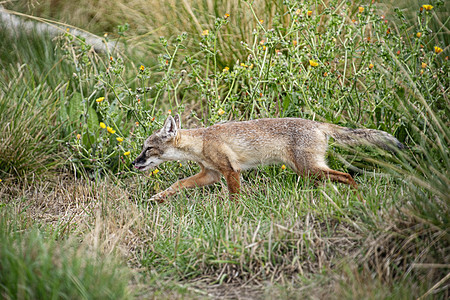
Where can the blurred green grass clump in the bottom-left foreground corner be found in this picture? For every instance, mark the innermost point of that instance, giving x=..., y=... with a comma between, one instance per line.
x=35, y=266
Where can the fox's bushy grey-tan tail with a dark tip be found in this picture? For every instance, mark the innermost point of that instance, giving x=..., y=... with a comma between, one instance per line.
x=351, y=137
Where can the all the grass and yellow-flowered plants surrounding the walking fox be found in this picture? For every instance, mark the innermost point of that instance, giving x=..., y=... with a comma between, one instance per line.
x=75, y=220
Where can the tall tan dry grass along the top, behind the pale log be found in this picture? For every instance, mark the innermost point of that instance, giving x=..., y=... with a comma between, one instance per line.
x=149, y=20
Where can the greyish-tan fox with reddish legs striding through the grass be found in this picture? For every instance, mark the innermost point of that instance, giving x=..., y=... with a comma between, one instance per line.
x=231, y=147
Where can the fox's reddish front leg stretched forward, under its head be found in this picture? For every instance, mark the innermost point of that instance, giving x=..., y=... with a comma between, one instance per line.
x=205, y=177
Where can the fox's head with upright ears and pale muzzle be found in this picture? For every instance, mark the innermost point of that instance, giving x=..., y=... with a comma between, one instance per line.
x=159, y=147
